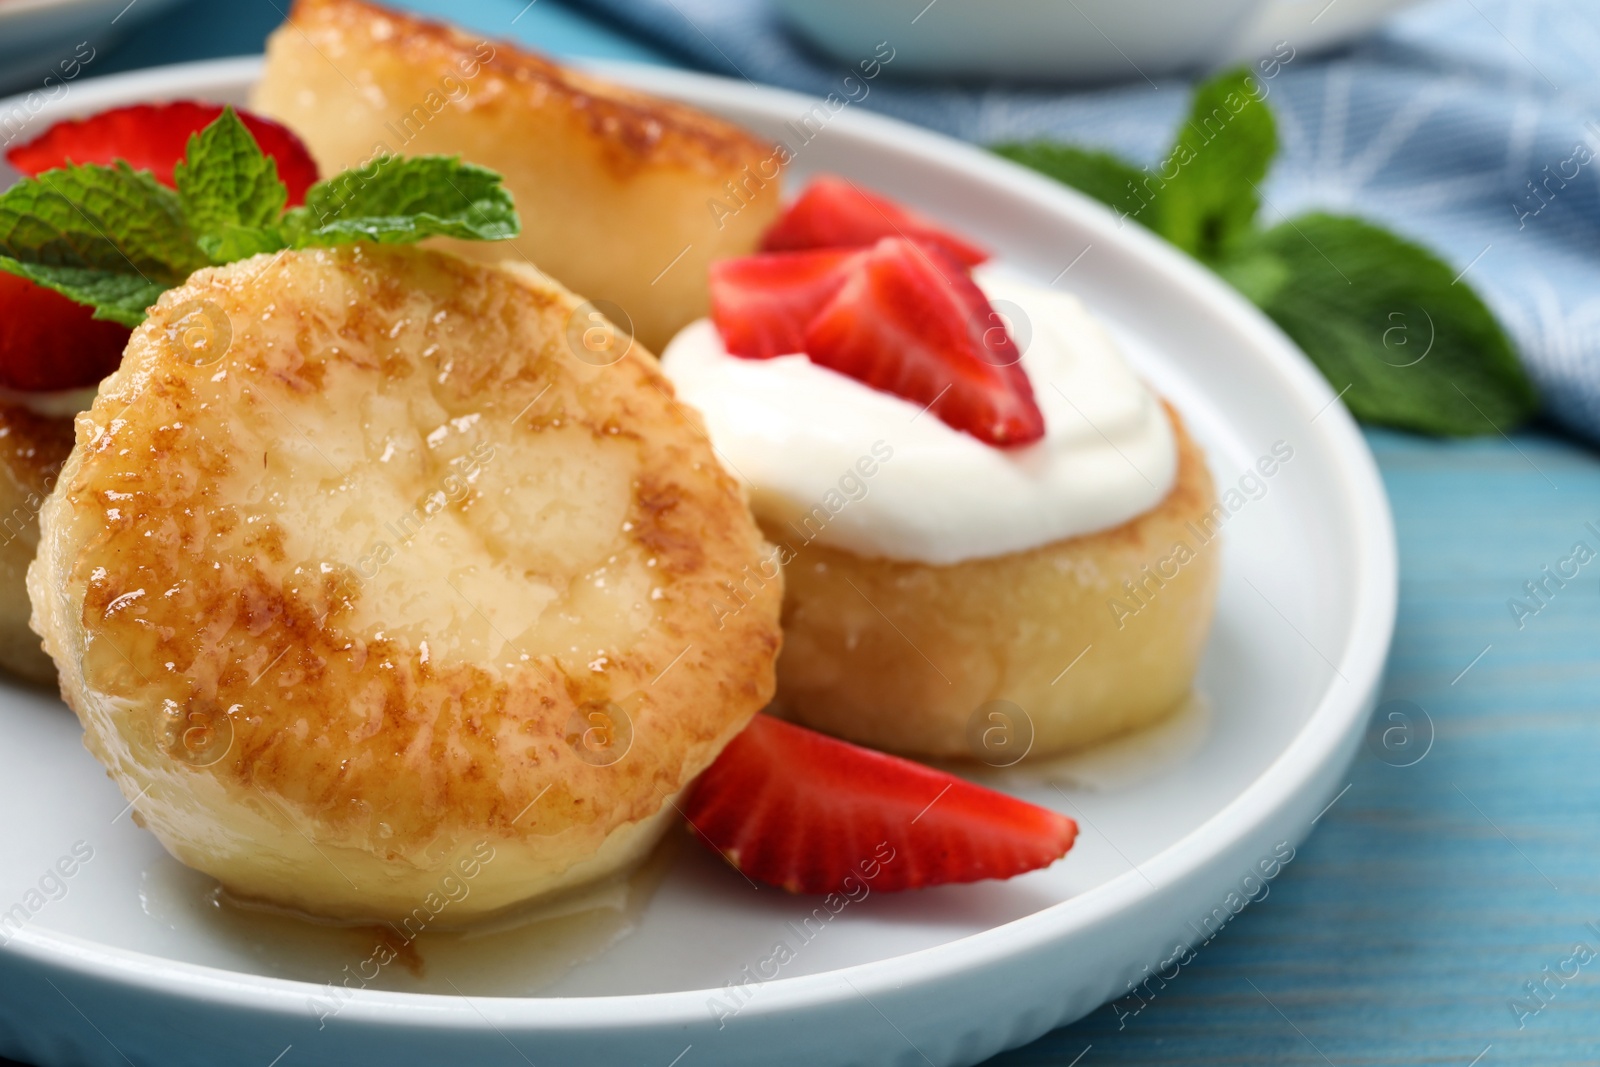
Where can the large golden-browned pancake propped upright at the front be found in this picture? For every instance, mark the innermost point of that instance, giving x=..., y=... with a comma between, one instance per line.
x=361, y=580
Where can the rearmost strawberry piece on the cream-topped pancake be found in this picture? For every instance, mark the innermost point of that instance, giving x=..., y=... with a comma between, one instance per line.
x=838, y=214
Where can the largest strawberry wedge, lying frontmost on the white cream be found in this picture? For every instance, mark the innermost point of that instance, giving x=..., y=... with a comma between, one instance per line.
x=910, y=321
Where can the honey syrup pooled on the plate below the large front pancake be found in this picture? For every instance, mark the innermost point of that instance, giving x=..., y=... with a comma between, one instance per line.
x=516, y=954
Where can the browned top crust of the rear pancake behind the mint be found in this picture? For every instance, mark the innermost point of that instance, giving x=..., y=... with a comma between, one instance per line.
x=638, y=130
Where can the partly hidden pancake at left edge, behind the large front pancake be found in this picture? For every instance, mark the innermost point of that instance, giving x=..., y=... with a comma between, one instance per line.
x=33, y=449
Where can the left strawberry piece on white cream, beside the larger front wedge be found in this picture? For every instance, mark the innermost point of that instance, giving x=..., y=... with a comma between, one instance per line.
x=762, y=305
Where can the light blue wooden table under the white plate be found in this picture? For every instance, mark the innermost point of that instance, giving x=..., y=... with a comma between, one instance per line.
x=1430, y=895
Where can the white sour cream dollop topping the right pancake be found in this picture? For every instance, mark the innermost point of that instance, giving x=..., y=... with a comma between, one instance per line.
x=834, y=462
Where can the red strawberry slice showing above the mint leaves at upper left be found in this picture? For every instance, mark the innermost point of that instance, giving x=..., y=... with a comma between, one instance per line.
x=154, y=138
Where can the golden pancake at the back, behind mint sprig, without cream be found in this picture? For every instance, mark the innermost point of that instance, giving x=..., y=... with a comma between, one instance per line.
x=625, y=198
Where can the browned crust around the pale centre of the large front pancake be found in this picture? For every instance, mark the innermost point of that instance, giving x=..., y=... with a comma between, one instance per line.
x=186, y=609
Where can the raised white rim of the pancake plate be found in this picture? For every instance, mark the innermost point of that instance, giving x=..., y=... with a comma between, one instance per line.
x=1292, y=770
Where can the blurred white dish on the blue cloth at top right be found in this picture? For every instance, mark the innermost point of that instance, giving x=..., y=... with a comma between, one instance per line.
x=1076, y=41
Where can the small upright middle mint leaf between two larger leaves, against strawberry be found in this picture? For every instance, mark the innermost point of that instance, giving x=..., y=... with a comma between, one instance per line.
x=226, y=182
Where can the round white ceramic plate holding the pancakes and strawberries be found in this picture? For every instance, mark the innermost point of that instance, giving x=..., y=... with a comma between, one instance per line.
x=134, y=962
